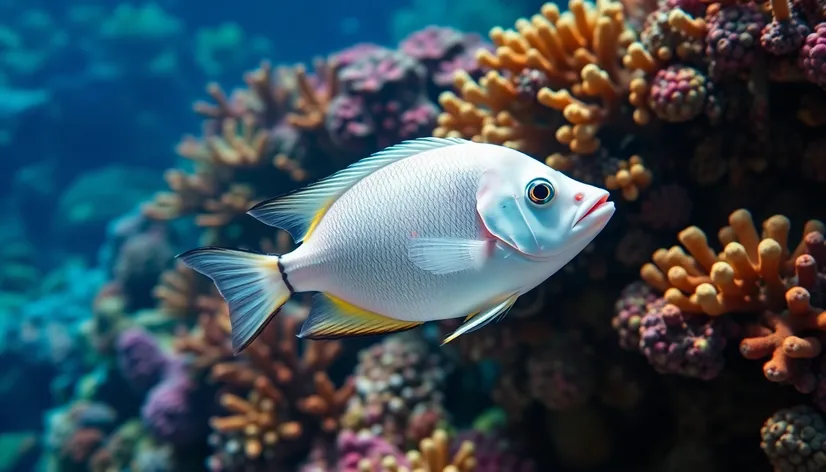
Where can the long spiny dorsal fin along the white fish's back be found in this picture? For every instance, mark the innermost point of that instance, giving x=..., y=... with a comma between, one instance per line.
x=300, y=211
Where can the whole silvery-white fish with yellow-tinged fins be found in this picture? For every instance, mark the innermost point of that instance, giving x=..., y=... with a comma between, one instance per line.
x=426, y=230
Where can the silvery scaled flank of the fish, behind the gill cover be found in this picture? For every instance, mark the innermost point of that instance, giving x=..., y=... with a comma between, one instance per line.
x=369, y=272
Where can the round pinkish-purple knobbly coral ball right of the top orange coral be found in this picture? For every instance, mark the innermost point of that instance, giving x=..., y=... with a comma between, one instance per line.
x=678, y=94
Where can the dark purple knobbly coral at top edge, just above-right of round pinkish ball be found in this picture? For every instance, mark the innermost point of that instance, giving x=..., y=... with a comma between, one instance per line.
x=732, y=38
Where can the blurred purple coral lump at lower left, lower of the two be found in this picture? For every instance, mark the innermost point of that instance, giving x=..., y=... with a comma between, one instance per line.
x=168, y=414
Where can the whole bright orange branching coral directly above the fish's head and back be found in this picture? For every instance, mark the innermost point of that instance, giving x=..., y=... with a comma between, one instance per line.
x=572, y=60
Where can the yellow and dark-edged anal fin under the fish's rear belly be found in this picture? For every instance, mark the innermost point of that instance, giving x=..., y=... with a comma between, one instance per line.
x=334, y=318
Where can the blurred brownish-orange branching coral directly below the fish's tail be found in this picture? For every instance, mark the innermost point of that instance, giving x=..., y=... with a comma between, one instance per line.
x=288, y=395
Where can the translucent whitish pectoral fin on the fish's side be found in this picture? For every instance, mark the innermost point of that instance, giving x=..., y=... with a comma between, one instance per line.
x=448, y=255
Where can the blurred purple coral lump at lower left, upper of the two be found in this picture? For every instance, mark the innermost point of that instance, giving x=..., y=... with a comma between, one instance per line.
x=140, y=360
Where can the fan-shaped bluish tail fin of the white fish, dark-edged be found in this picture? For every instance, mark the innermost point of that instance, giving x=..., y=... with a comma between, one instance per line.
x=253, y=285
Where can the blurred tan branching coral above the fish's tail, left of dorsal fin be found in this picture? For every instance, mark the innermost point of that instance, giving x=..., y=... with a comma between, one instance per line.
x=255, y=145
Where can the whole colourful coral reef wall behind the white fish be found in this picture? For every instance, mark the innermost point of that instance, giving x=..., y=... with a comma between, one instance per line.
x=688, y=336
